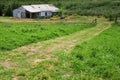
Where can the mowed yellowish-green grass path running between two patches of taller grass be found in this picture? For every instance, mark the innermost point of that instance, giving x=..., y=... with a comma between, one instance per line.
x=45, y=59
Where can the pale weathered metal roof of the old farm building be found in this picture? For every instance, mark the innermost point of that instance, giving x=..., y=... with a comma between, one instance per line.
x=41, y=7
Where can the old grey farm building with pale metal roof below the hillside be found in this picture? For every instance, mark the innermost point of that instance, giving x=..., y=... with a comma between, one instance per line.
x=35, y=11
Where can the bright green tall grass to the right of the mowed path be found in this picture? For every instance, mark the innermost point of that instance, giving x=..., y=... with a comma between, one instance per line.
x=99, y=57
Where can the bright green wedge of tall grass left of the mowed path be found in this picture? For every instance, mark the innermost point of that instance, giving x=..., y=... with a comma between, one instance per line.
x=13, y=35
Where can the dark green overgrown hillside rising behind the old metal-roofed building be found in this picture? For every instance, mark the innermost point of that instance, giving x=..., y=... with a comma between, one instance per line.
x=107, y=8
